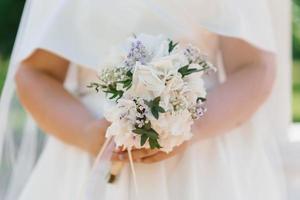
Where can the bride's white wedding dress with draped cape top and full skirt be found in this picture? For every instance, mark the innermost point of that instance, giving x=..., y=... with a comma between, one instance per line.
x=243, y=164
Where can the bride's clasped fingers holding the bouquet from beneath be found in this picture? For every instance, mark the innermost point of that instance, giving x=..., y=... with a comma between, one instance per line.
x=148, y=155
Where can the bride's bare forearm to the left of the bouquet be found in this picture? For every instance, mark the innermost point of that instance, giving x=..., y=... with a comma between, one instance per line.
x=56, y=111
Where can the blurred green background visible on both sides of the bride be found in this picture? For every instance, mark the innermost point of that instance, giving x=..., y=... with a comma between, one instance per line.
x=11, y=10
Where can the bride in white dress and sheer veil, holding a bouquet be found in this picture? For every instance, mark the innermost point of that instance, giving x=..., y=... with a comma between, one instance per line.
x=235, y=151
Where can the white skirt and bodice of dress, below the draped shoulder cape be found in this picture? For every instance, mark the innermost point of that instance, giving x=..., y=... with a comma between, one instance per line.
x=233, y=166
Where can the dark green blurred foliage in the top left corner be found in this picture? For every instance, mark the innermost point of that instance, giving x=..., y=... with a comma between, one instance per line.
x=10, y=13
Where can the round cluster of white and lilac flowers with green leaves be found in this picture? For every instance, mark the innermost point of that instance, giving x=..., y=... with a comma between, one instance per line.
x=158, y=91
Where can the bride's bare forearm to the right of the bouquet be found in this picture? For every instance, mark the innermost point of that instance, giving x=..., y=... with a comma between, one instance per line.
x=235, y=101
